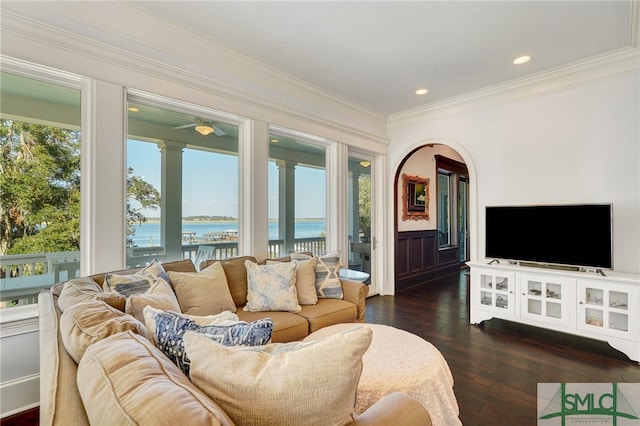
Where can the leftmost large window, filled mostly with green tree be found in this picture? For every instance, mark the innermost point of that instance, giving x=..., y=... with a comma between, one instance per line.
x=39, y=186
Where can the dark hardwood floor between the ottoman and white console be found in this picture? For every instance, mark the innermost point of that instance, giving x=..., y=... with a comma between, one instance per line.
x=497, y=366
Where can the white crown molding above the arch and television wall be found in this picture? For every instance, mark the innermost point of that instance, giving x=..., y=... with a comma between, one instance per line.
x=602, y=67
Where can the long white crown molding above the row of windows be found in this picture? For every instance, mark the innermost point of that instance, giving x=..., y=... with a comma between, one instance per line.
x=221, y=73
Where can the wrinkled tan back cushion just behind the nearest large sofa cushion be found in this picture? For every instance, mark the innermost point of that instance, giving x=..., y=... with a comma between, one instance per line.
x=89, y=322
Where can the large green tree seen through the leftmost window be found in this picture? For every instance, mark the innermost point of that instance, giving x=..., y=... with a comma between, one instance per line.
x=39, y=188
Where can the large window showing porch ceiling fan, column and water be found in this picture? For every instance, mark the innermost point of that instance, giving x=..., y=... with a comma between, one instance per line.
x=182, y=183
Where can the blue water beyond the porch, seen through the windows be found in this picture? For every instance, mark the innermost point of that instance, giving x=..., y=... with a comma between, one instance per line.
x=148, y=234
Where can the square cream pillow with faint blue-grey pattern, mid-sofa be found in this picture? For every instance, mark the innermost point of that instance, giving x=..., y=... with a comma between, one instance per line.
x=271, y=287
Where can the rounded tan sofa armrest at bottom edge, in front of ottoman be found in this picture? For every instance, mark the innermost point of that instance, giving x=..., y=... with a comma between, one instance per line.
x=395, y=408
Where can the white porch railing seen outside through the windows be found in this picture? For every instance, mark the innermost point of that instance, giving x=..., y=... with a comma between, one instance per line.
x=22, y=276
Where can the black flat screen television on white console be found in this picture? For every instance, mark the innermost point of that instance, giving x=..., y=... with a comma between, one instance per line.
x=576, y=235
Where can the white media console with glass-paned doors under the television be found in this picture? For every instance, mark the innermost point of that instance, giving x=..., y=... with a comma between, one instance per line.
x=582, y=303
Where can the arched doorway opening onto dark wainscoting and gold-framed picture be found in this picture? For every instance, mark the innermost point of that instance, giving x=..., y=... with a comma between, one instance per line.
x=431, y=215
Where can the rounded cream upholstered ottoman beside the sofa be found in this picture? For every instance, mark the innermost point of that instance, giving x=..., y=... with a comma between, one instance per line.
x=399, y=361
